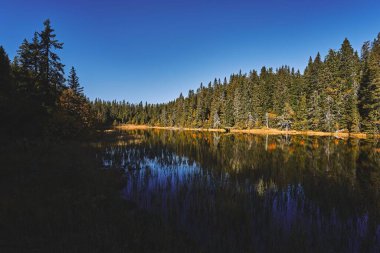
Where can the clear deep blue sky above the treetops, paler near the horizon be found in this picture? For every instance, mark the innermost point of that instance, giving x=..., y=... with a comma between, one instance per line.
x=151, y=50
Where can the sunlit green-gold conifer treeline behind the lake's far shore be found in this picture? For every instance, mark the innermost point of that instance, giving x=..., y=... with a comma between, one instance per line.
x=338, y=93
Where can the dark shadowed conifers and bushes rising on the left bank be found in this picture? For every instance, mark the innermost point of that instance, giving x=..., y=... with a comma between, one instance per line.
x=36, y=99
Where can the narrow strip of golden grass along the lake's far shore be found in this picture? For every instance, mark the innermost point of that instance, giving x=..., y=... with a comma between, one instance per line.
x=261, y=131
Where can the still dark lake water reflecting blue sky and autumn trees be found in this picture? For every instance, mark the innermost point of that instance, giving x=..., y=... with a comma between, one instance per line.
x=251, y=193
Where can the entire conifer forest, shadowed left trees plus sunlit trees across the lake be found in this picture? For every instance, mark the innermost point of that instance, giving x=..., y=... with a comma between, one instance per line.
x=338, y=93
